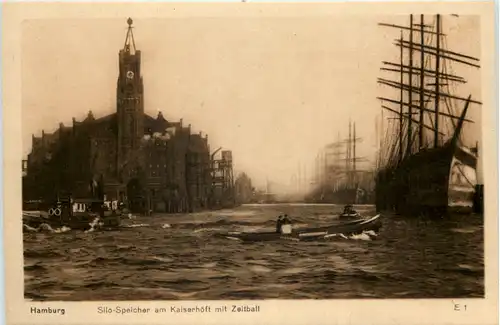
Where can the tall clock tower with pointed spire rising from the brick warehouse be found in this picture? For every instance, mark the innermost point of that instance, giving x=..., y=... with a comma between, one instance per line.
x=129, y=99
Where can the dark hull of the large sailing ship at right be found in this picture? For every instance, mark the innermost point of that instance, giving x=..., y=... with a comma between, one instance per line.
x=437, y=181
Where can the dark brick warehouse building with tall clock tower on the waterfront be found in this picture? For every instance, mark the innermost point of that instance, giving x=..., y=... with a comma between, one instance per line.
x=147, y=162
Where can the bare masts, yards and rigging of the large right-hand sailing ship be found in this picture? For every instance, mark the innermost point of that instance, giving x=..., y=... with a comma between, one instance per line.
x=431, y=94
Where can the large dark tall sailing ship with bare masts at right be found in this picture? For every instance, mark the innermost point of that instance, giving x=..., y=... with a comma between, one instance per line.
x=423, y=164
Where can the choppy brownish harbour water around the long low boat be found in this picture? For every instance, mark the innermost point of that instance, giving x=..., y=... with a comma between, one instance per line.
x=176, y=257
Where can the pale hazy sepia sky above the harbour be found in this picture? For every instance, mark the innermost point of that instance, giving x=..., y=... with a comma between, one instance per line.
x=273, y=90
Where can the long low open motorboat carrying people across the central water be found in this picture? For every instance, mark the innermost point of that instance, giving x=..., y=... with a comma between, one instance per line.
x=306, y=234
